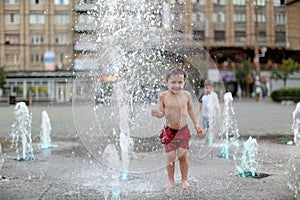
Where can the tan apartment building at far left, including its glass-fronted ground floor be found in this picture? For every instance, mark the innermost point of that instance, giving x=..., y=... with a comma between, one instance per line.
x=36, y=42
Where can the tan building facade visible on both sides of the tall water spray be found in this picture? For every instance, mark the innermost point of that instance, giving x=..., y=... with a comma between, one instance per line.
x=59, y=37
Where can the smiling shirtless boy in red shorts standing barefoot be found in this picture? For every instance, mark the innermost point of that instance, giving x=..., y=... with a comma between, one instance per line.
x=175, y=104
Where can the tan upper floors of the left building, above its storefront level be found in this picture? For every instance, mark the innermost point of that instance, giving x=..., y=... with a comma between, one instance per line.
x=36, y=35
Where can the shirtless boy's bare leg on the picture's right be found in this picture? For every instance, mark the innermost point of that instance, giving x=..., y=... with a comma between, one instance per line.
x=184, y=167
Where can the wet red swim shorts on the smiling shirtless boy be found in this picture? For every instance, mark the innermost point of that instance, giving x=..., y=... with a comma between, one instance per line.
x=180, y=140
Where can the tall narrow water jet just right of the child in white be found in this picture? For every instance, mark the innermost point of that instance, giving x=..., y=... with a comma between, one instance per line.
x=229, y=129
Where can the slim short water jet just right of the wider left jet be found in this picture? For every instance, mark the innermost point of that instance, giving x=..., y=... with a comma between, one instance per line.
x=45, y=131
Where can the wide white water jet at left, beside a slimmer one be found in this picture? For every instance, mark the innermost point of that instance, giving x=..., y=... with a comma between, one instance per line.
x=21, y=130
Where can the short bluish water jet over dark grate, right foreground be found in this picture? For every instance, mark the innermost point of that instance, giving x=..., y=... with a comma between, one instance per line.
x=248, y=162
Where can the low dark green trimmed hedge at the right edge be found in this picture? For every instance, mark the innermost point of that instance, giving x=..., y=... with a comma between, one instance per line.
x=292, y=94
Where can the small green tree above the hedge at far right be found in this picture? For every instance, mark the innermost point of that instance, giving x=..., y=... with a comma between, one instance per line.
x=288, y=67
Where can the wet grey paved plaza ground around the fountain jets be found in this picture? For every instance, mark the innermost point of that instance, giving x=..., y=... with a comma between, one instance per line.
x=68, y=171
